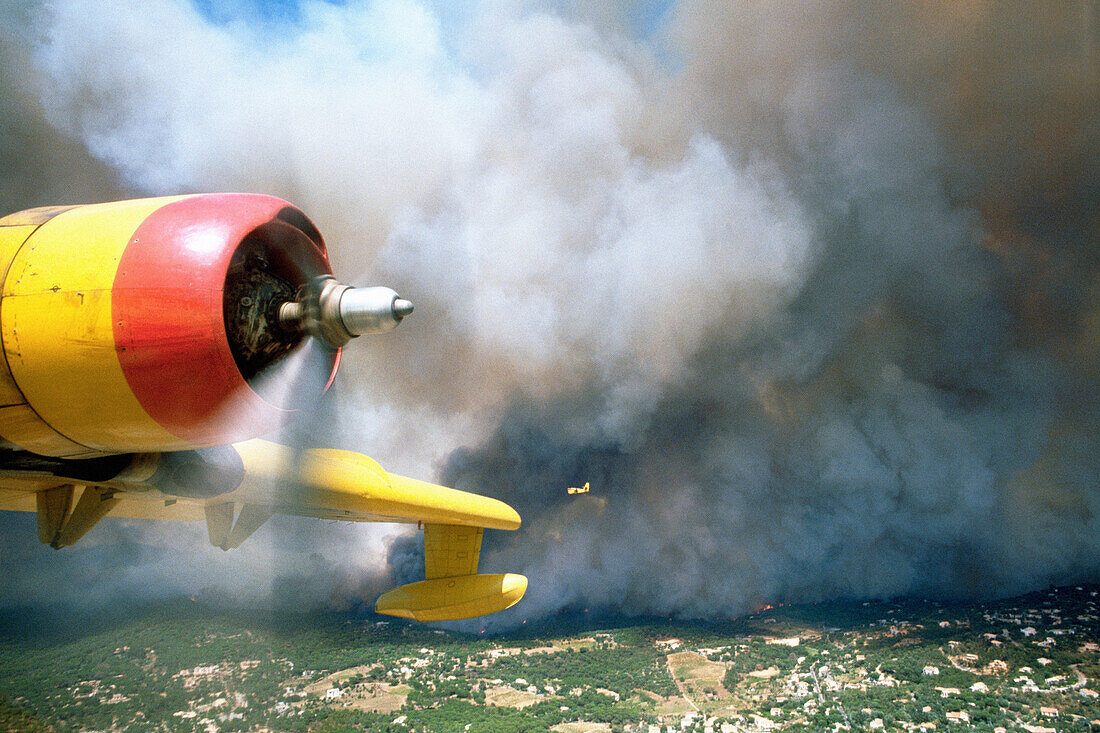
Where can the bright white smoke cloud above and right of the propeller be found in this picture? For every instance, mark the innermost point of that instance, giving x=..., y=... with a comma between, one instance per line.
x=516, y=207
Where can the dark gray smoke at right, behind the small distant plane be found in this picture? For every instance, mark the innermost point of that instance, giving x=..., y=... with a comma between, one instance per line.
x=907, y=423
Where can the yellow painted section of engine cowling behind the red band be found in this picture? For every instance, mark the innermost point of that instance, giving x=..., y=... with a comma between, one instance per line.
x=58, y=332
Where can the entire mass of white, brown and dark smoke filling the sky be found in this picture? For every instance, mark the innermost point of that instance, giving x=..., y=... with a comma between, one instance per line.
x=808, y=292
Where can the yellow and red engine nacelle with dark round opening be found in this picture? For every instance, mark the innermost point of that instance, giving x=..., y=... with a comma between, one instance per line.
x=144, y=326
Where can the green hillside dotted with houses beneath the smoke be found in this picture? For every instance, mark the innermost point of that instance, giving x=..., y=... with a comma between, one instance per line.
x=1028, y=664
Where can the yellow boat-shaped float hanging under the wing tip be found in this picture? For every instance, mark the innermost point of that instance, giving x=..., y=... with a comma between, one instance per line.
x=449, y=599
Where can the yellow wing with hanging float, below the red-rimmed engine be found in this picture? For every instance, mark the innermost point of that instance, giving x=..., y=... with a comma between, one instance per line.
x=325, y=484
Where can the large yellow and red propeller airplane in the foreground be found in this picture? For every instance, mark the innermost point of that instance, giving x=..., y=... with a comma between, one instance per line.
x=139, y=343
